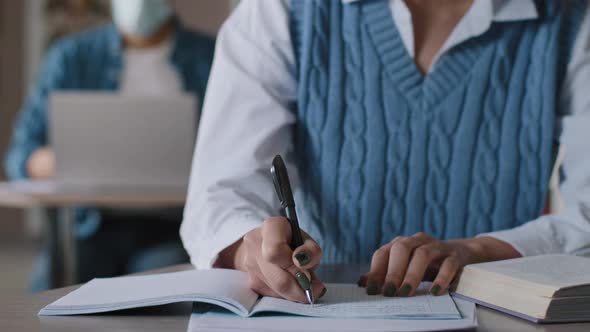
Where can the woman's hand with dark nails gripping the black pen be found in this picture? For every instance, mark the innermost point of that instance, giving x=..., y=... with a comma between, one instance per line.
x=271, y=264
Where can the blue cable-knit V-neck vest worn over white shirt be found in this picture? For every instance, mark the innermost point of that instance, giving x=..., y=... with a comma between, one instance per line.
x=383, y=151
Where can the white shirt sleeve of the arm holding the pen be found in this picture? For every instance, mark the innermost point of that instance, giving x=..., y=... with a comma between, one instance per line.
x=247, y=118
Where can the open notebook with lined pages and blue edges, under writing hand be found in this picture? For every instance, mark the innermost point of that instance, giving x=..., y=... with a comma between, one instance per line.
x=229, y=289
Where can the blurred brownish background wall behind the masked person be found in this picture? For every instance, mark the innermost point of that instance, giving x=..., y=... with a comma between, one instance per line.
x=27, y=27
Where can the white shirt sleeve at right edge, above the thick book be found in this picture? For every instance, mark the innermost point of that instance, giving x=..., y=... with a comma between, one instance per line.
x=567, y=232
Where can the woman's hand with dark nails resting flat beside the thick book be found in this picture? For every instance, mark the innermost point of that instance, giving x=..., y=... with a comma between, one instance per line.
x=398, y=267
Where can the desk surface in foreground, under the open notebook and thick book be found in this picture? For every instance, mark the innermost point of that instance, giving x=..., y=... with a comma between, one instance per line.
x=19, y=313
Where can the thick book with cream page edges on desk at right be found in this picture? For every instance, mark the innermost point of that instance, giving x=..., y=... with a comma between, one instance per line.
x=543, y=289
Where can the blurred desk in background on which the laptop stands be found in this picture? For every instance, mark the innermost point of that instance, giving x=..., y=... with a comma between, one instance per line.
x=27, y=194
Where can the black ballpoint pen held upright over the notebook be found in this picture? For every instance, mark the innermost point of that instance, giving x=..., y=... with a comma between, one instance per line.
x=280, y=178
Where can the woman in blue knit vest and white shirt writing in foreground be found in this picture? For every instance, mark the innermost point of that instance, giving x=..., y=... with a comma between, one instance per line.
x=420, y=136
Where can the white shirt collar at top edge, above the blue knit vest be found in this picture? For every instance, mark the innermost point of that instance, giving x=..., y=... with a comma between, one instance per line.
x=501, y=10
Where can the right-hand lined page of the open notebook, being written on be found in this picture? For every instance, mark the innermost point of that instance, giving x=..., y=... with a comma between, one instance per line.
x=351, y=301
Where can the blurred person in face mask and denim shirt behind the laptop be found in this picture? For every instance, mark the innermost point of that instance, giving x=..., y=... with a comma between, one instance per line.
x=146, y=52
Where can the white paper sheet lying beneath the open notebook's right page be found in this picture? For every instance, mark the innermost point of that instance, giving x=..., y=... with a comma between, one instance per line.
x=223, y=321
